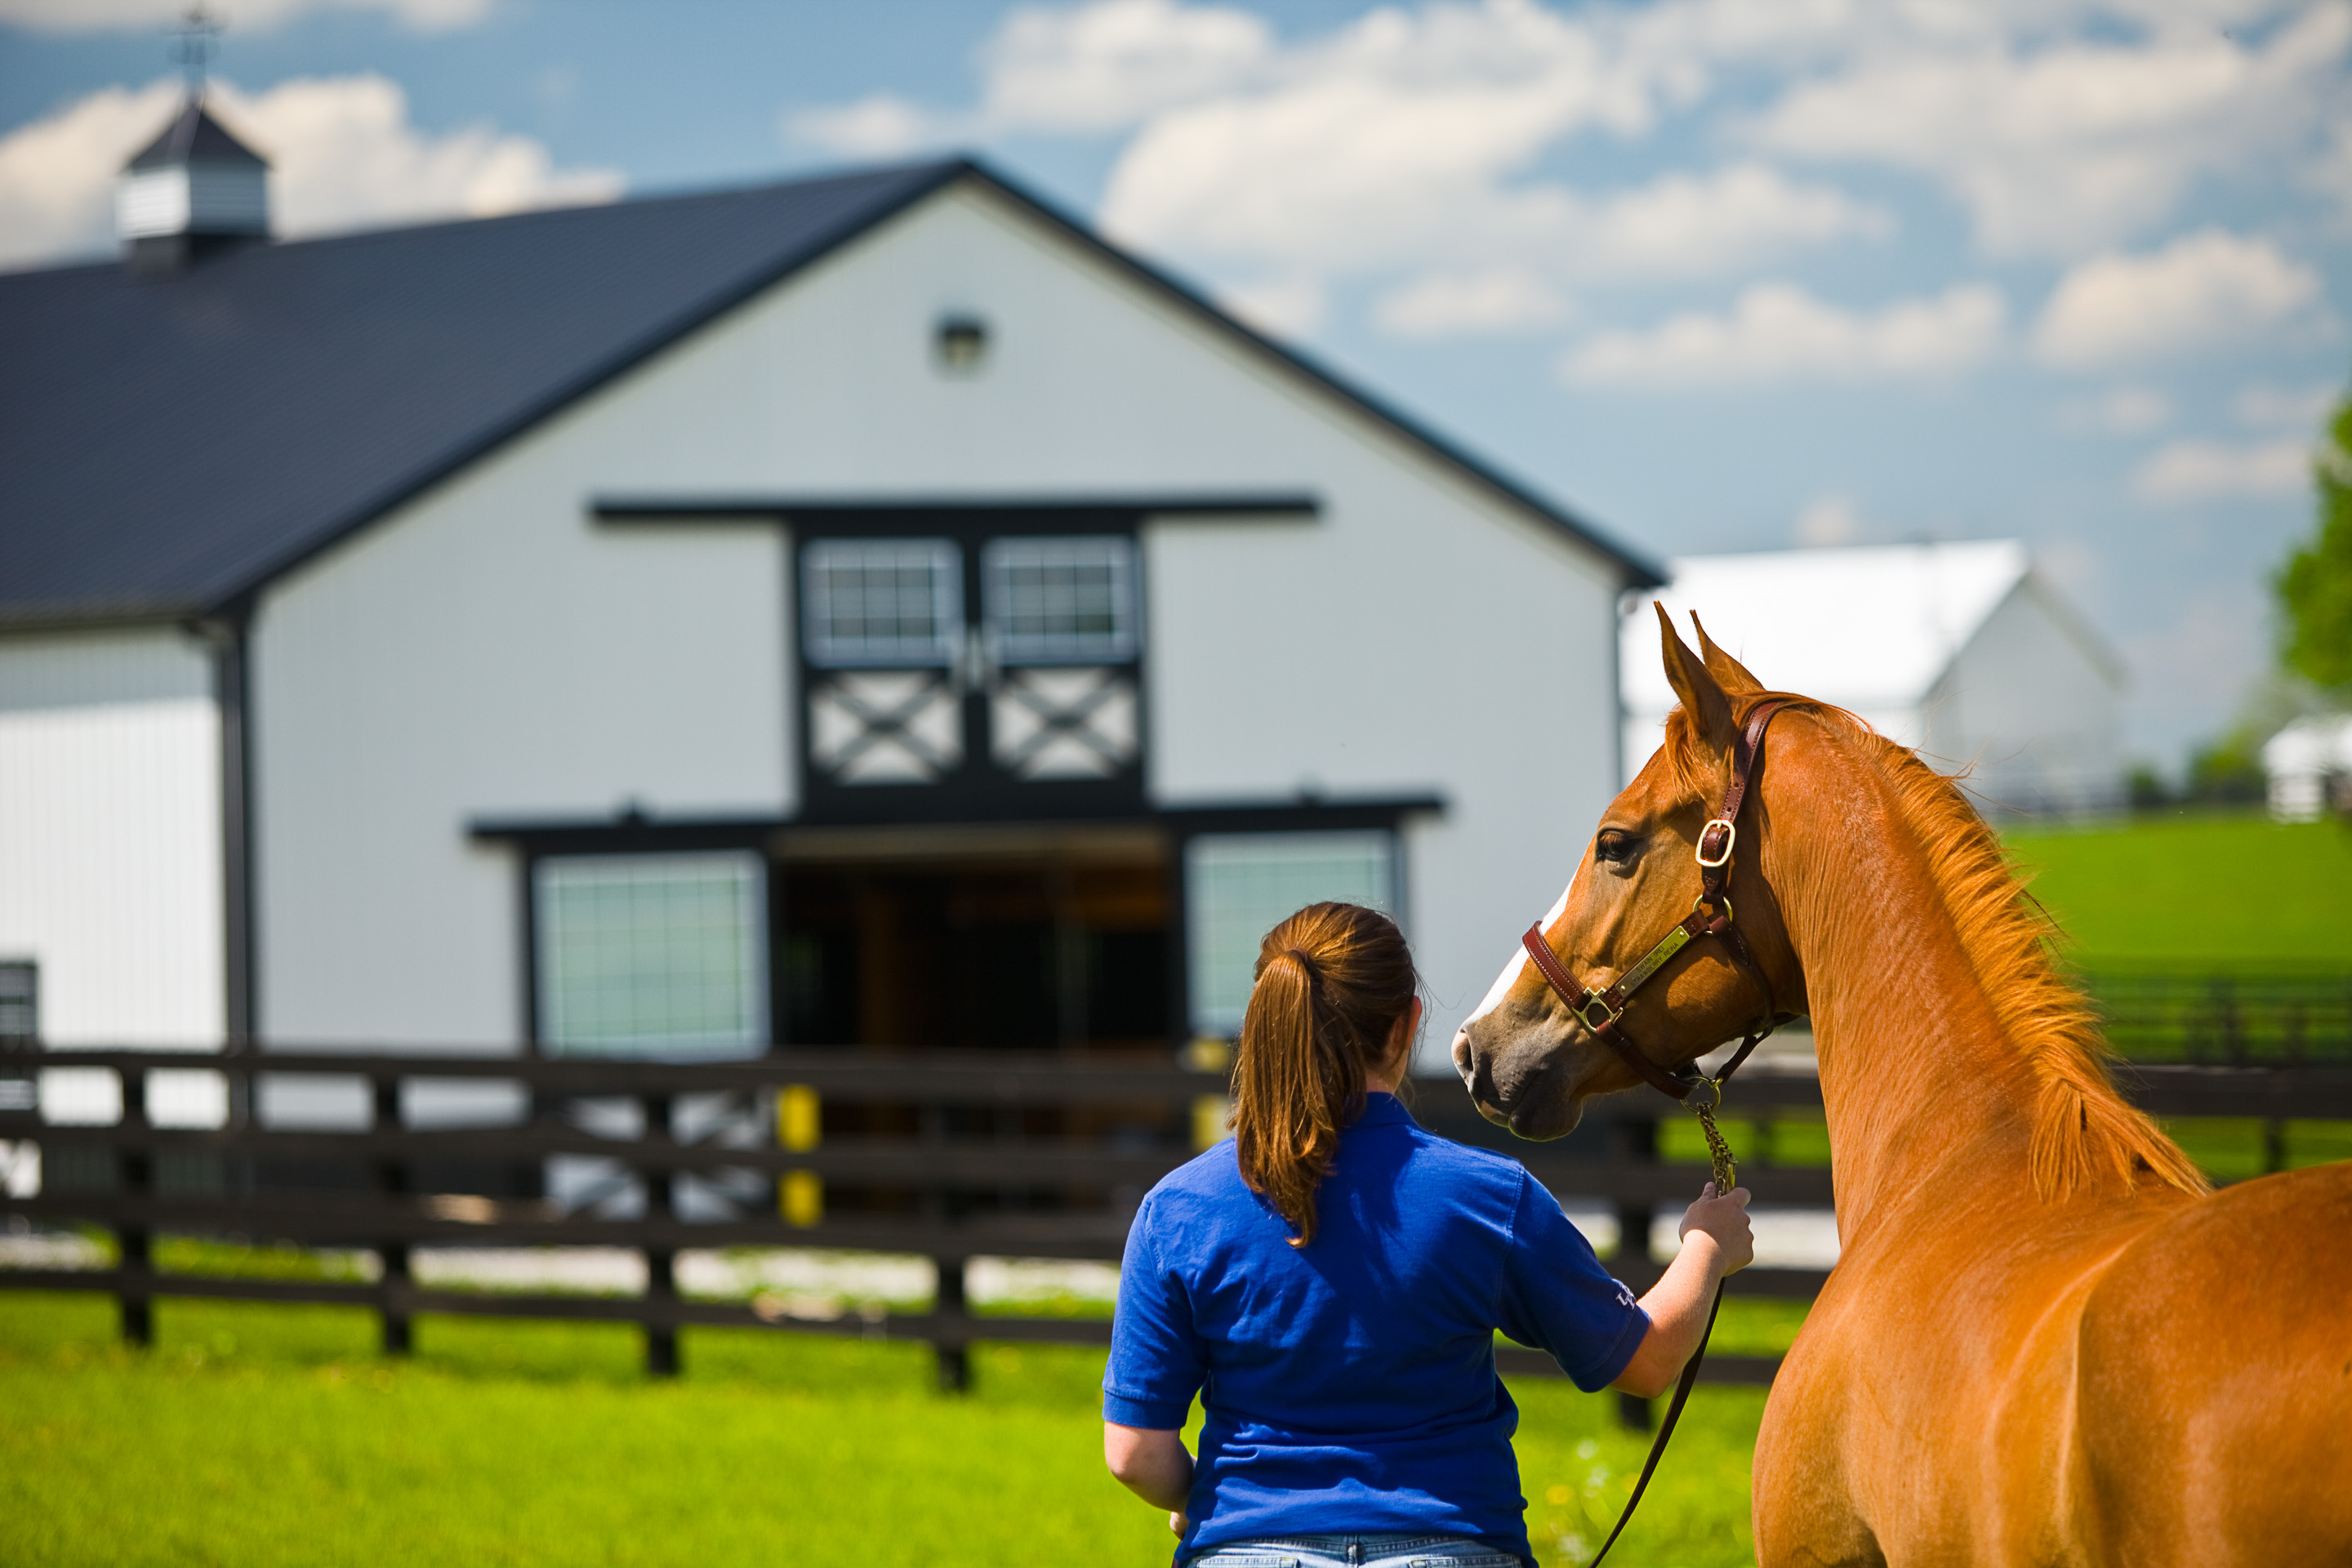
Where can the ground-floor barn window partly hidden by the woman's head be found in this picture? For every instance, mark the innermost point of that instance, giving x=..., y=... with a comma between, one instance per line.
x=1241, y=885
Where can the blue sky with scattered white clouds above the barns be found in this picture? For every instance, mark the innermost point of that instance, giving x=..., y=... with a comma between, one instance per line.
x=1725, y=276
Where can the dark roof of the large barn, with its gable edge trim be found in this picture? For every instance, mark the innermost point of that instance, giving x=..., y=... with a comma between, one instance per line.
x=168, y=445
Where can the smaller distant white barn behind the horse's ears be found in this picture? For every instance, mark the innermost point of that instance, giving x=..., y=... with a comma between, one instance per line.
x=1960, y=650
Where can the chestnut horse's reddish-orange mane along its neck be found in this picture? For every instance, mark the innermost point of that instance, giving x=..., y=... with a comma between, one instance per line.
x=2083, y=1130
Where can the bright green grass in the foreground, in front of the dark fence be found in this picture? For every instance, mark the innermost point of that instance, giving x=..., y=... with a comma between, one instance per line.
x=274, y=1435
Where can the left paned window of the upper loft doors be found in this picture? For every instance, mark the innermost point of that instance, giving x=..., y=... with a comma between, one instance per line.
x=883, y=601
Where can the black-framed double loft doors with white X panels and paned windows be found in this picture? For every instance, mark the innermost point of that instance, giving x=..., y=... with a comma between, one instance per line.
x=970, y=674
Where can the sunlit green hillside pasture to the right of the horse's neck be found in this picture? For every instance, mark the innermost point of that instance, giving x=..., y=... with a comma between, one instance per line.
x=2212, y=890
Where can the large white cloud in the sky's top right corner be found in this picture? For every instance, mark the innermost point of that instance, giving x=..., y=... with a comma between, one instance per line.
x=2076, y=145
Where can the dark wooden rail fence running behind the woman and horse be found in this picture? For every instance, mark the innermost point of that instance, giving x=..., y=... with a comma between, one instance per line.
x=951, y=1155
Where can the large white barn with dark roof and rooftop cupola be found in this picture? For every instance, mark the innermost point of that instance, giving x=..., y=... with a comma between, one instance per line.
x=864, y=610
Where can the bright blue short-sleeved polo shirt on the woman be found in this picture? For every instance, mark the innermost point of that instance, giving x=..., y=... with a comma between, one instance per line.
x=1349, y=1386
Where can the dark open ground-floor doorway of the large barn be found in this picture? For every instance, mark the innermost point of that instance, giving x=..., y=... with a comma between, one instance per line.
x=984, y=937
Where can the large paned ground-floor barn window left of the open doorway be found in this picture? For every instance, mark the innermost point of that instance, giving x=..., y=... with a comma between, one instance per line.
x=653, y=956
